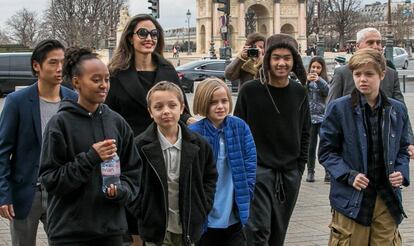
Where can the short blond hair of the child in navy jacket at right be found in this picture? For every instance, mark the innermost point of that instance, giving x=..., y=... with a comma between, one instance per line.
x=371, y=56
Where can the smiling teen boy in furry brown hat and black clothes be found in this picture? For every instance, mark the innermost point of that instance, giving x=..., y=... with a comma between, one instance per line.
x=276, y=109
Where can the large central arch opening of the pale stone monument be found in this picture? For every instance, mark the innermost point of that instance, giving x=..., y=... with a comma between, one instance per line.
x=256, y=17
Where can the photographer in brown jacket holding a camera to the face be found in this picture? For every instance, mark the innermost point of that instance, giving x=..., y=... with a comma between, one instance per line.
x=246, y=65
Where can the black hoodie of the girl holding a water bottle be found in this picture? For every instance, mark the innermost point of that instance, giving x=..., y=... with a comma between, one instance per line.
x=78, y=210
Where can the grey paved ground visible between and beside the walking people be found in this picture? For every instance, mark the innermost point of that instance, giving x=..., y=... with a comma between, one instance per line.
x=309, y=223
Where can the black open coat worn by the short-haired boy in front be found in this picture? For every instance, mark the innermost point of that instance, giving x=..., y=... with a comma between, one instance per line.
x=197, y=184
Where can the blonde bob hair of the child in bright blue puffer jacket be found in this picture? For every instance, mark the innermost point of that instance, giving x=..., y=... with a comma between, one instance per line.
x=204, y=94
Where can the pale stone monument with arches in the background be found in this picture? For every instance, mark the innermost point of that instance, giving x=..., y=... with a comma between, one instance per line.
x=265, y=16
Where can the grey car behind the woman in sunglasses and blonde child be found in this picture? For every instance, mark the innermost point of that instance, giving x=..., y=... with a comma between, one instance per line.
x=200, y=70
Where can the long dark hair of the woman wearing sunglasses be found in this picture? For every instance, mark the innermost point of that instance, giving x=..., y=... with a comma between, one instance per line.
x=124, y=54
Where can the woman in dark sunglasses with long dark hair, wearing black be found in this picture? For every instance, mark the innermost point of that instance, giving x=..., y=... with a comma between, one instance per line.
x=136, y=66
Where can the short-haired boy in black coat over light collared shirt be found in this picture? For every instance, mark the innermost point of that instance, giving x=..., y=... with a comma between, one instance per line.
x=179, y=174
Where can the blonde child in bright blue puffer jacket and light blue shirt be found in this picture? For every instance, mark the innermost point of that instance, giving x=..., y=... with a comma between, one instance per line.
x=235, y=155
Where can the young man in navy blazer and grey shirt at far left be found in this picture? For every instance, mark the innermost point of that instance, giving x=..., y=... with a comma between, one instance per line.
x=22, y=123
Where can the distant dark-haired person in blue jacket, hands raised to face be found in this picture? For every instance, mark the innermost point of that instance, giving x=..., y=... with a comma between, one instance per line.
x=317, y=91
